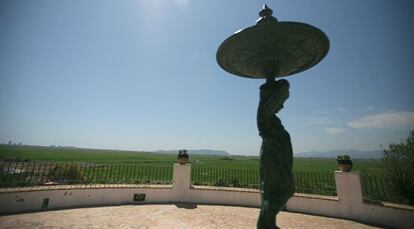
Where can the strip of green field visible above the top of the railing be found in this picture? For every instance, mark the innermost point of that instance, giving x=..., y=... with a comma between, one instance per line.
x=61, y=154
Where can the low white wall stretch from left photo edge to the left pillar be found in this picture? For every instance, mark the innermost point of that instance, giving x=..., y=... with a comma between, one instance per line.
x=13, y=202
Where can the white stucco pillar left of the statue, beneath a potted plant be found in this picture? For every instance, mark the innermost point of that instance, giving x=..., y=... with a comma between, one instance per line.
x=181, y=182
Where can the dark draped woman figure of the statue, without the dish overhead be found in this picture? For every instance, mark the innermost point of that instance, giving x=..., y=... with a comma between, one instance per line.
x=276, y=156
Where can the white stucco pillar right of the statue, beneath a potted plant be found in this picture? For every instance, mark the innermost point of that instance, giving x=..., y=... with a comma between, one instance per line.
x=348, y=187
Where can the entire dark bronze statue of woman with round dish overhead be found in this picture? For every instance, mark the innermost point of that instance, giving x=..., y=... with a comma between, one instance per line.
x=268, y=50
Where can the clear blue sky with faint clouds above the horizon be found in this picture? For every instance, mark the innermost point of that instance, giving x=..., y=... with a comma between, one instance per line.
x=142, y=75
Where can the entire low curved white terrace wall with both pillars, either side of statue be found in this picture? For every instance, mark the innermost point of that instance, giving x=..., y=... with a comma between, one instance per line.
x=348, y=204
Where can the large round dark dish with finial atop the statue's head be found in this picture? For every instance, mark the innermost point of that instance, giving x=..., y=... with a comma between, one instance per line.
x=272, y=49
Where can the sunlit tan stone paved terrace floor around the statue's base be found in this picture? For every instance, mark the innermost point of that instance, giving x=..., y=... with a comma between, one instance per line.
x=166, y=216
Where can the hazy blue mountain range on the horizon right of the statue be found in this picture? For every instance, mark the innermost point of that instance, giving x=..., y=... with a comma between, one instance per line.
x=355, y=154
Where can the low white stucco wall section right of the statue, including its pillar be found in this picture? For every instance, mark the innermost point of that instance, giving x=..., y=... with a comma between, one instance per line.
x=350, y=205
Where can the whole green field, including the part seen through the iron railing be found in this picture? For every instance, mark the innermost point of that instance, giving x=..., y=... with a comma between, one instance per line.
x=90, y=166
